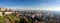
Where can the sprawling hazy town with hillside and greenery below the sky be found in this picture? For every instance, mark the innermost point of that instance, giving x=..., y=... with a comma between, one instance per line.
x=27, y=16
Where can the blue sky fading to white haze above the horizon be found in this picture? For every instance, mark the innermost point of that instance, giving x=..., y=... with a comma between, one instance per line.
x=31, y=4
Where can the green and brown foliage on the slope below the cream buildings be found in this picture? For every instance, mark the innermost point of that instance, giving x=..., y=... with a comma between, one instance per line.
x=15, y=19
